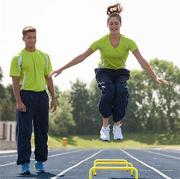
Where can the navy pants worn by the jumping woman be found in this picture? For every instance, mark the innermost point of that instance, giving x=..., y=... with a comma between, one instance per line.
x=113, y=86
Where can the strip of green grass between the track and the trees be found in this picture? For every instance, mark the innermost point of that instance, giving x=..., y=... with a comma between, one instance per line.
x=131, y=140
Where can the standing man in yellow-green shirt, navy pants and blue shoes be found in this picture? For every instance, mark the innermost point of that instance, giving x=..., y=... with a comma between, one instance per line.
x=29, y=71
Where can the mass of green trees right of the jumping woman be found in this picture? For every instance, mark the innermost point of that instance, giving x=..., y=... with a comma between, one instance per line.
x=151, y=106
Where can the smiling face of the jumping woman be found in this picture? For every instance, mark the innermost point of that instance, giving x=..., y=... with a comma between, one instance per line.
x=114, y=25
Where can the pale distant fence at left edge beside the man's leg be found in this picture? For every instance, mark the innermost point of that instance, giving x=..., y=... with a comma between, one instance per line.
x=8, y=130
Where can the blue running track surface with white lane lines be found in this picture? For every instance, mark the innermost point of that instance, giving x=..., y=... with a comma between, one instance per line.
x=75, y=164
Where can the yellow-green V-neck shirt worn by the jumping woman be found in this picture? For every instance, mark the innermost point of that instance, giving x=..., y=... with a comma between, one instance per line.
x=113, y=57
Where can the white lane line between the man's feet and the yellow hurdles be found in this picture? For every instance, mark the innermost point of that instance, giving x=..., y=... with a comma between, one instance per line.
x=74, y=166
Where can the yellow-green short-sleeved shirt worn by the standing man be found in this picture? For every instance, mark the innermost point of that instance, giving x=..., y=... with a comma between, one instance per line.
x=31, y=68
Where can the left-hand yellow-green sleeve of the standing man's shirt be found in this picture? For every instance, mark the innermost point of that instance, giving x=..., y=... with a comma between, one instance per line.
x=15, y=67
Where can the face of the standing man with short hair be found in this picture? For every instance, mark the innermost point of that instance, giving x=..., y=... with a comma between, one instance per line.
x=30, y=40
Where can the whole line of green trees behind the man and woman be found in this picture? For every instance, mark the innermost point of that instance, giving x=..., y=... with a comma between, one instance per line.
x=151, y=107
